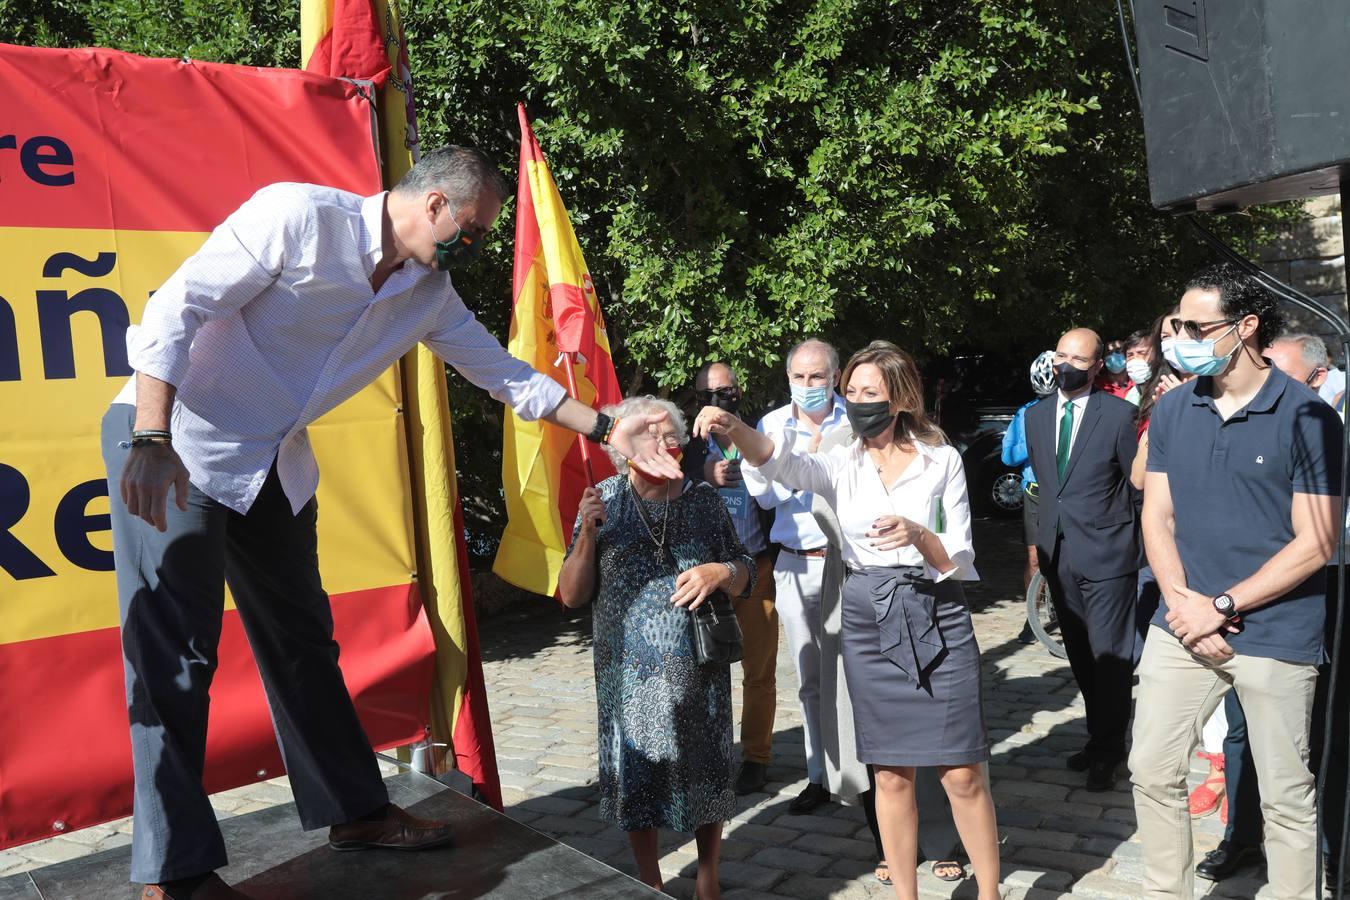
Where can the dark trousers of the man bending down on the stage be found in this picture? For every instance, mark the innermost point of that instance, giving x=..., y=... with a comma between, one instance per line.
x=171, y=590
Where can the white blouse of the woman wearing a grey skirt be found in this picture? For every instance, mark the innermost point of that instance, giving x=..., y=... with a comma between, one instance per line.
x=931, y=492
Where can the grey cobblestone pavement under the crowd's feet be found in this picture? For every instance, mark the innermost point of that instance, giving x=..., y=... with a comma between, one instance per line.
x=1058, y=839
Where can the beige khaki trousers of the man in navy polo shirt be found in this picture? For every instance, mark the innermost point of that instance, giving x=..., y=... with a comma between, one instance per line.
x=1178, y=693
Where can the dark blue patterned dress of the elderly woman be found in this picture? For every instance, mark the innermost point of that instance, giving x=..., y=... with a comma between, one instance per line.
x=665, y=721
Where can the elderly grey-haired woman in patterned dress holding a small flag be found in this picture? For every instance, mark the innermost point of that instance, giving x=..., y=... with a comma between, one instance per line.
x=649, y=551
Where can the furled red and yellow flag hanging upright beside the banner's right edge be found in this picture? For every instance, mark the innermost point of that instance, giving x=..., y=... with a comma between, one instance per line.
x=364, y=40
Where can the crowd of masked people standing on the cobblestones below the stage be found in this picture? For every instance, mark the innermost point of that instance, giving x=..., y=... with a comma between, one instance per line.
x=1183, y=492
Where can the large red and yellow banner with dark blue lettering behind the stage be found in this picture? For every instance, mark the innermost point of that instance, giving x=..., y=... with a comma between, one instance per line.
x=113, y=171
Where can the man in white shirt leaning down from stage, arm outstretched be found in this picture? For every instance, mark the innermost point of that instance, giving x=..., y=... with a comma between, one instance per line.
x=294, y=304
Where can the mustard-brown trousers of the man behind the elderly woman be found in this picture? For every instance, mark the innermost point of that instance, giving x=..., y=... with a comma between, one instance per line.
x=759, y=665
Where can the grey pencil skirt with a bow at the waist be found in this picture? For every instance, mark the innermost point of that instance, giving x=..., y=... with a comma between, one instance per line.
x=913, y=670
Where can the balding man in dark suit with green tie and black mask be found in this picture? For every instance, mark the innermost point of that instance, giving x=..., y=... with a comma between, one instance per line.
x=1082, y=443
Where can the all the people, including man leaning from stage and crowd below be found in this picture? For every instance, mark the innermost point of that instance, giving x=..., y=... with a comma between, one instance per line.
x=1186, y=505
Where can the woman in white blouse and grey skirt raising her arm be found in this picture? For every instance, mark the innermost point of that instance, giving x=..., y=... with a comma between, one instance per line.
x=911, y=658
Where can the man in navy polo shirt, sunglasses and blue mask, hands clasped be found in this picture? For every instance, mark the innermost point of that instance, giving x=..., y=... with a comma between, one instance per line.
x=1241, y=509
